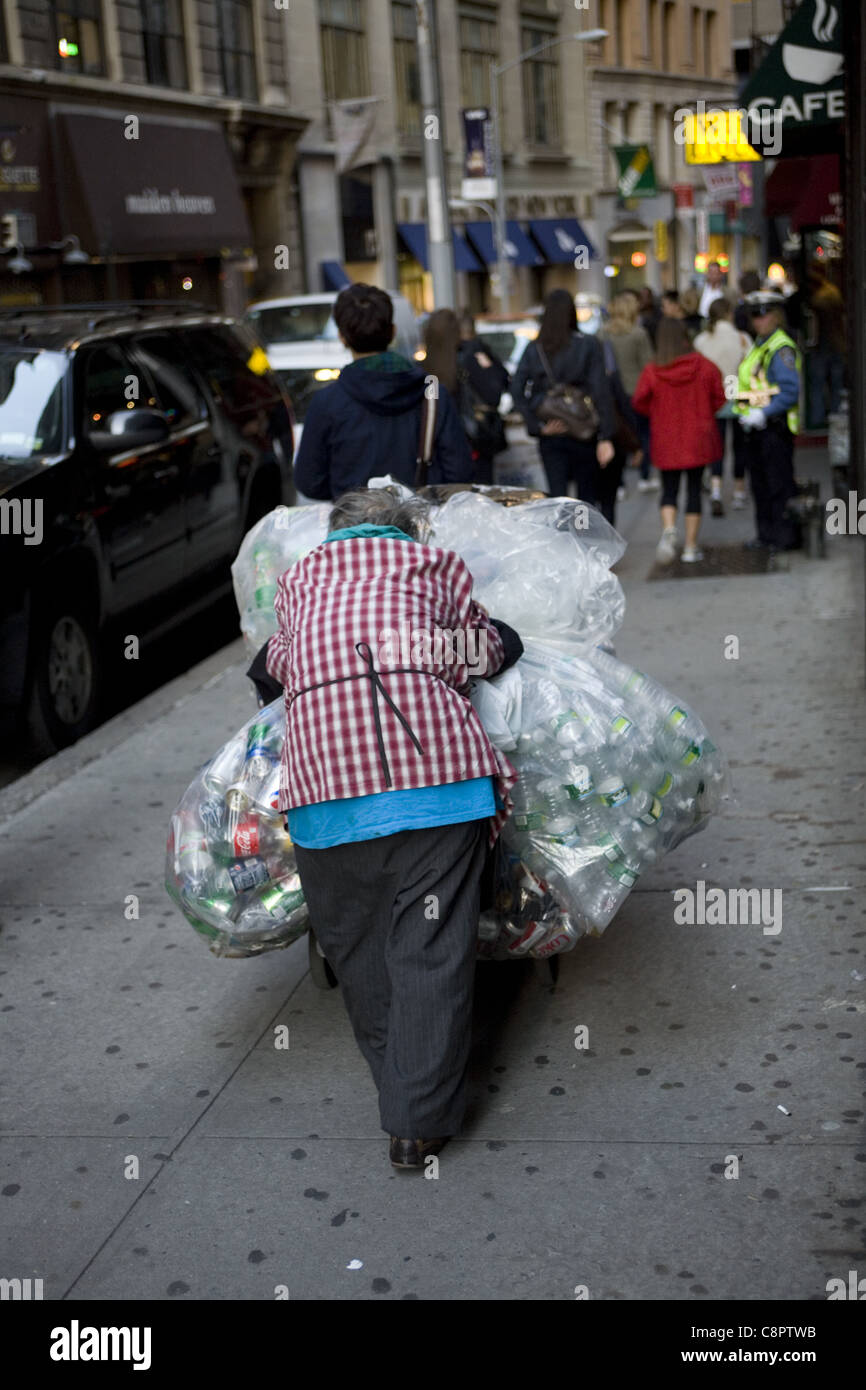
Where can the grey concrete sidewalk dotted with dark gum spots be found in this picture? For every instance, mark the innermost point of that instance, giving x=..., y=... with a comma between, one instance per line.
x=156, y=1145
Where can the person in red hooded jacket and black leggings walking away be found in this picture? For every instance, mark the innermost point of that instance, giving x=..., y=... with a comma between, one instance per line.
x=680, y=391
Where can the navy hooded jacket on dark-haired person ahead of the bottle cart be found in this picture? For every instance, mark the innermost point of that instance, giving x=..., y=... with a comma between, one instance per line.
x=369, y=423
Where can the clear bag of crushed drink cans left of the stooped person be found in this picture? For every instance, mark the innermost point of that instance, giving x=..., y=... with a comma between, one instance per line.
x=230, y=864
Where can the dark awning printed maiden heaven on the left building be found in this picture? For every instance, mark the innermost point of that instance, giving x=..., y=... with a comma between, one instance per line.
x=172, y=191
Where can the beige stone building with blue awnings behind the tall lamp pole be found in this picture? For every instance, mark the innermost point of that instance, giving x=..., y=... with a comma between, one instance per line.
x=372, y=220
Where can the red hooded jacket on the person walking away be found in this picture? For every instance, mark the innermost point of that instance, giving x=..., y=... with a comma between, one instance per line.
x=682, y=401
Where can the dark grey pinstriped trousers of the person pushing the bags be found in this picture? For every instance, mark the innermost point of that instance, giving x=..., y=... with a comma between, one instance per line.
x=398, y=921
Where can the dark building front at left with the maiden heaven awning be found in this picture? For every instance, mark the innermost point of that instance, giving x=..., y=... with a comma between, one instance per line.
x=148, y=151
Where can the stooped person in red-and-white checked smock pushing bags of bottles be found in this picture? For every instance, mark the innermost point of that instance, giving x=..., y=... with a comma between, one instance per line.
x=394, y=793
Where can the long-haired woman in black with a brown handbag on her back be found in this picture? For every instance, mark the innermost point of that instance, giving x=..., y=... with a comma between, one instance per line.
x=564, y=395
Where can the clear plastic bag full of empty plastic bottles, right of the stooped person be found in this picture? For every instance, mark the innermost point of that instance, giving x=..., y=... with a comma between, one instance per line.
x=615, y=772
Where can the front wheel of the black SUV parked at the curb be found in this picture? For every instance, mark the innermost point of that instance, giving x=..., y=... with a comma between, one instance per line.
x=65, y=683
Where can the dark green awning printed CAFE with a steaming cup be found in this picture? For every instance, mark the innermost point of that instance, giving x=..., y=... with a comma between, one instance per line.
x=804, y=80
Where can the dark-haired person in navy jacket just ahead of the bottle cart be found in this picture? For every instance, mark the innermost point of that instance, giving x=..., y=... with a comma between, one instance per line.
x=369, y=423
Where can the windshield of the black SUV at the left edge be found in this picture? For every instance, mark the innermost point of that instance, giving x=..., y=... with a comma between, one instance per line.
x=31, y=402
